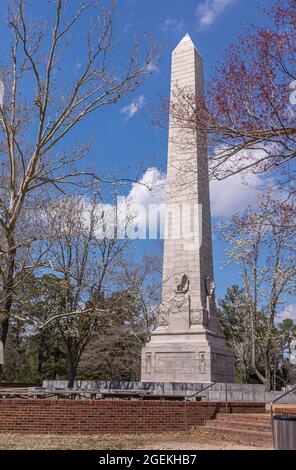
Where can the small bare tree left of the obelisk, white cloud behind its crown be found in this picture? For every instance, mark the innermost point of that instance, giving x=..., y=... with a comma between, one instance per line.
x=80, y=263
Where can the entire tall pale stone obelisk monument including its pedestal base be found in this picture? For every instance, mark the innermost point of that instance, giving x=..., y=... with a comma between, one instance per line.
x=187, y=346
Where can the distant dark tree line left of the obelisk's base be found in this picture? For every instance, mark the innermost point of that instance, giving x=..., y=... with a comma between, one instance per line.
x=105, y=345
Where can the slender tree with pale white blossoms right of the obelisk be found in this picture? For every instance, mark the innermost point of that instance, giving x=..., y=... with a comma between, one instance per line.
x=262, y=245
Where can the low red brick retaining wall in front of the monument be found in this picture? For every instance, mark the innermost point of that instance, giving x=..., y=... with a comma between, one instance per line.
x=33, y=416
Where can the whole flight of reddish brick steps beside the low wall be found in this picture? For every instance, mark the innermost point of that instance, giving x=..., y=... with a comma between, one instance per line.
x=241, y=427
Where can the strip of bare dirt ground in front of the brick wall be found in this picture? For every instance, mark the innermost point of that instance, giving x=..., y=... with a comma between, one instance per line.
x=164, y=441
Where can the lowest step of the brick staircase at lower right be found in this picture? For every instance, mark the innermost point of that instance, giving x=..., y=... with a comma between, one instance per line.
x=238, y=435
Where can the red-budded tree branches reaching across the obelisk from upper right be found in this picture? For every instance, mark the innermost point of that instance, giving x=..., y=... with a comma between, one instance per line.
x=249, y=109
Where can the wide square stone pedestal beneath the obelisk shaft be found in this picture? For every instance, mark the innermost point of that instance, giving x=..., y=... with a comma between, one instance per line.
x=188, y=357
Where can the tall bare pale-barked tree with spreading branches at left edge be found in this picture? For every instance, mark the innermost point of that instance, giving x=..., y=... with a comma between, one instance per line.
x=40, y=105
